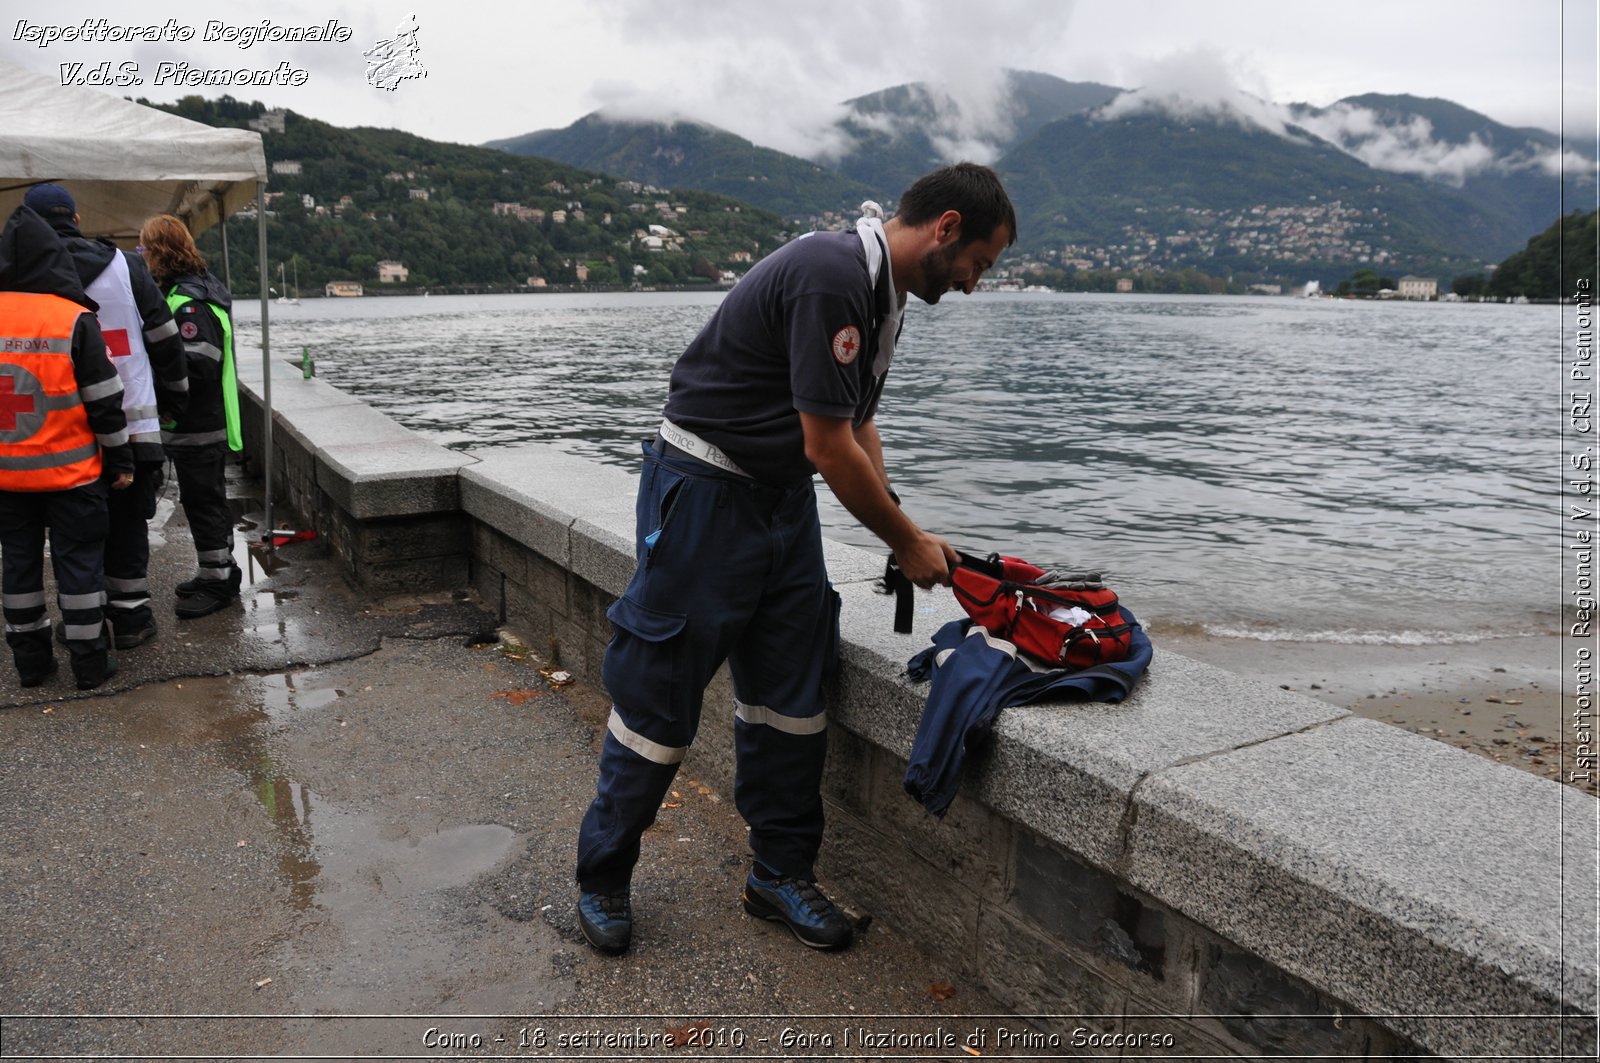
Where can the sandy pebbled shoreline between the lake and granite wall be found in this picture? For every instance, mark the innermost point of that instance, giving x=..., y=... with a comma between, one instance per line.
x=1500, y=699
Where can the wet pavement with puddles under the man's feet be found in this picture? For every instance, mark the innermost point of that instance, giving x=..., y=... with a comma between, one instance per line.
x=326, y=827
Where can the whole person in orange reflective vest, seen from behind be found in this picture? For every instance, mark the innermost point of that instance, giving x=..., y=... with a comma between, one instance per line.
x=62, y=428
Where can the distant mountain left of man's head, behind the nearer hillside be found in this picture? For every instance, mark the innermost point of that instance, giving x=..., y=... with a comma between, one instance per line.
x=695, y=156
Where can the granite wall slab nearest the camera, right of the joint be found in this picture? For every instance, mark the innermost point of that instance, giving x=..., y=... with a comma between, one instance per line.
x=1399, y=873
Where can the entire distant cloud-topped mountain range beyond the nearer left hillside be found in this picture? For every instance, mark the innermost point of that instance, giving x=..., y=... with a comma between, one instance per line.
x=1394, y=183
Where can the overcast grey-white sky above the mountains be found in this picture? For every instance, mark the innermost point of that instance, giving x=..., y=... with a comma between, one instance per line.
x=777, y=71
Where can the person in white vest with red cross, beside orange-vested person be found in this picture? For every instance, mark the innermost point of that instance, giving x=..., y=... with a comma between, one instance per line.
x=150, y=356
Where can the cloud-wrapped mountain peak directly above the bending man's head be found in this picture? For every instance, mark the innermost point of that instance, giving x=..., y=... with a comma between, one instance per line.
x=897, y=130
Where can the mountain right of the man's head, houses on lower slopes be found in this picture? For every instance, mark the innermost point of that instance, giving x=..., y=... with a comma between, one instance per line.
x=1151, y=191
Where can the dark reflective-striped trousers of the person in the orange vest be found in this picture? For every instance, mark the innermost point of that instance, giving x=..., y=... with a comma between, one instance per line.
x=76, y=523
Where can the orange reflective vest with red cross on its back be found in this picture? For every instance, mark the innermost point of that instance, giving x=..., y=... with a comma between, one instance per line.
x=46, y=439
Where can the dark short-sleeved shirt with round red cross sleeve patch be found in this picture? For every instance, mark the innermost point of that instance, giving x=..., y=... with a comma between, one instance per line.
x=799, y=332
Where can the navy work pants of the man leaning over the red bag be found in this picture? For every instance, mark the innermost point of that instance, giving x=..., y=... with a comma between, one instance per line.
x=729, y=571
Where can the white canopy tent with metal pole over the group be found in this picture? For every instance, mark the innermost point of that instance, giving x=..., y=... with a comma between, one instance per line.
x=126, y=162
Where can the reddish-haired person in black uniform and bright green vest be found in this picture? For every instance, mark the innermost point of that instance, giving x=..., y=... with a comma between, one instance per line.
x=209, y=428
